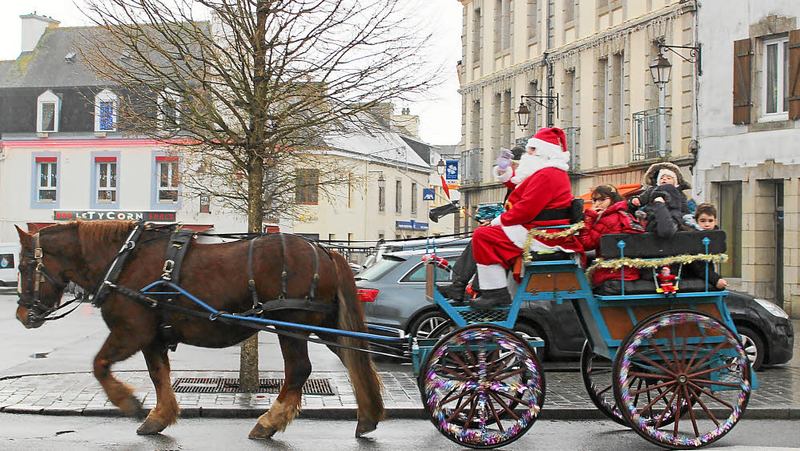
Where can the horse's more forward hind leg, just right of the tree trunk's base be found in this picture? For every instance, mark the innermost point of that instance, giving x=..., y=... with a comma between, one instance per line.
x=297, y=368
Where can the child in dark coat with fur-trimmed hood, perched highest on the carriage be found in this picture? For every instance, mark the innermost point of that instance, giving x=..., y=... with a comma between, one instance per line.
x=663, y=203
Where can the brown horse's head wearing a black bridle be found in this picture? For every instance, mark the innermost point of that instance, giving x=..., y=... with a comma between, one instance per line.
x=41, y=280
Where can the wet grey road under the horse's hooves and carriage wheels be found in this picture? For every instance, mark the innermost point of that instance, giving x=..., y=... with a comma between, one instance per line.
x=27, y=432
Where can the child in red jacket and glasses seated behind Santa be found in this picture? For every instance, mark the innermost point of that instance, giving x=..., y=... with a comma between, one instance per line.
x=609, y=214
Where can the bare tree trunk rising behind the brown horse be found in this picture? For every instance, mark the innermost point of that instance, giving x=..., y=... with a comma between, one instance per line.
x=248, y=357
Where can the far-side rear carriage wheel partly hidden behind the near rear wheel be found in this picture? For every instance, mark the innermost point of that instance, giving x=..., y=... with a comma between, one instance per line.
x=596, y=372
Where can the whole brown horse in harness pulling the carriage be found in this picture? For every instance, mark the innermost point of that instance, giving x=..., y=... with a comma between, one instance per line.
x=217, y=273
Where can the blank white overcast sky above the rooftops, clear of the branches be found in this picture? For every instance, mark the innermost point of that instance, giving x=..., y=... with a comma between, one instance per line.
x=439, y=109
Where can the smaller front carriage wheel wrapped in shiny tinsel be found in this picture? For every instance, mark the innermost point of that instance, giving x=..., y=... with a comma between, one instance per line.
x=482, y=386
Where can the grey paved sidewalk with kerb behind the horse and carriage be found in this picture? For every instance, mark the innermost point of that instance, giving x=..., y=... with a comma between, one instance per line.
x=778, y=396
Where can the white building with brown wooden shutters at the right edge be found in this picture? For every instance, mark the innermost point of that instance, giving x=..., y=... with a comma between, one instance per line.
x=748, y=161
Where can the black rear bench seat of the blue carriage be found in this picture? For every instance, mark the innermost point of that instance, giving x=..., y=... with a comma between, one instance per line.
x=647, y=245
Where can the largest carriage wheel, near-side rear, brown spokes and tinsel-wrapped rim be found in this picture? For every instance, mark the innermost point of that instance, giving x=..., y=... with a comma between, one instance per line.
x=696, y=364
